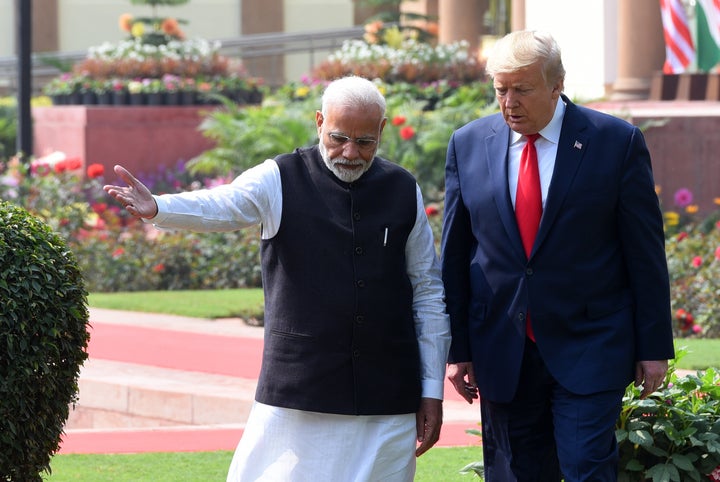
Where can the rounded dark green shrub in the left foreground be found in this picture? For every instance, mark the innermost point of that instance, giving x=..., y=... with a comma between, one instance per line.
x=43, y=337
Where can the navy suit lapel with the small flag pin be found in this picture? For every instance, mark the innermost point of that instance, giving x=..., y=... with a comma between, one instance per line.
x=572, y=146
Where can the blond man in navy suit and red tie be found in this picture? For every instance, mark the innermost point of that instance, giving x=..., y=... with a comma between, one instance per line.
x=549, y=331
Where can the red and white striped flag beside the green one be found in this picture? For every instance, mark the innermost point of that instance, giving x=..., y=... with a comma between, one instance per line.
x=679, y=48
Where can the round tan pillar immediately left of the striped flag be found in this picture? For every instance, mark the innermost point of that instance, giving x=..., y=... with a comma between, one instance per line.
x=641, y=48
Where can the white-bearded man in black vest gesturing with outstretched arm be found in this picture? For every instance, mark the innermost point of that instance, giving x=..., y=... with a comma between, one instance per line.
x=356, y=334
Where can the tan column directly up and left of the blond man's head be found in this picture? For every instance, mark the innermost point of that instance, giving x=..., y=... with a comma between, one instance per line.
x=461, y=20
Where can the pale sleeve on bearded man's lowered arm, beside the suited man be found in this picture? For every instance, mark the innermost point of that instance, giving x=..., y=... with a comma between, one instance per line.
x=432, y=323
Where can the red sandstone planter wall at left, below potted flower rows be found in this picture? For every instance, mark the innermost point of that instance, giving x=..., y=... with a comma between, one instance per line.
x=142, y=138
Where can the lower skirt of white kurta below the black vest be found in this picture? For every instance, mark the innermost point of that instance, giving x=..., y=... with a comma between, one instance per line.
x=285, y=445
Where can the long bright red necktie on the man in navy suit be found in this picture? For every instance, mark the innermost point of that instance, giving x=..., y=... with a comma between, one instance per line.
x=528, y=203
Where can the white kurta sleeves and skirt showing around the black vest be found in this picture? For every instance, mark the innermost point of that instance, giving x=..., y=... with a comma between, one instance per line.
x=286, y=445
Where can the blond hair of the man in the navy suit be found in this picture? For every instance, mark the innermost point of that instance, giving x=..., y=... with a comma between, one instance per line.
x=520, y=49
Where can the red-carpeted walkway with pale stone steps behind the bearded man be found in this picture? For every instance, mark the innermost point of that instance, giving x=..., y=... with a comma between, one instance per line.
x=161, y=365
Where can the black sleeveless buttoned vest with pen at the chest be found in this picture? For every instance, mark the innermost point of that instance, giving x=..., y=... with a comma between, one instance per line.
x=339, y=329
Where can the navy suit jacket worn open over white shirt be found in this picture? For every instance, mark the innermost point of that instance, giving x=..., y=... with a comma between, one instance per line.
x=596, y=283
